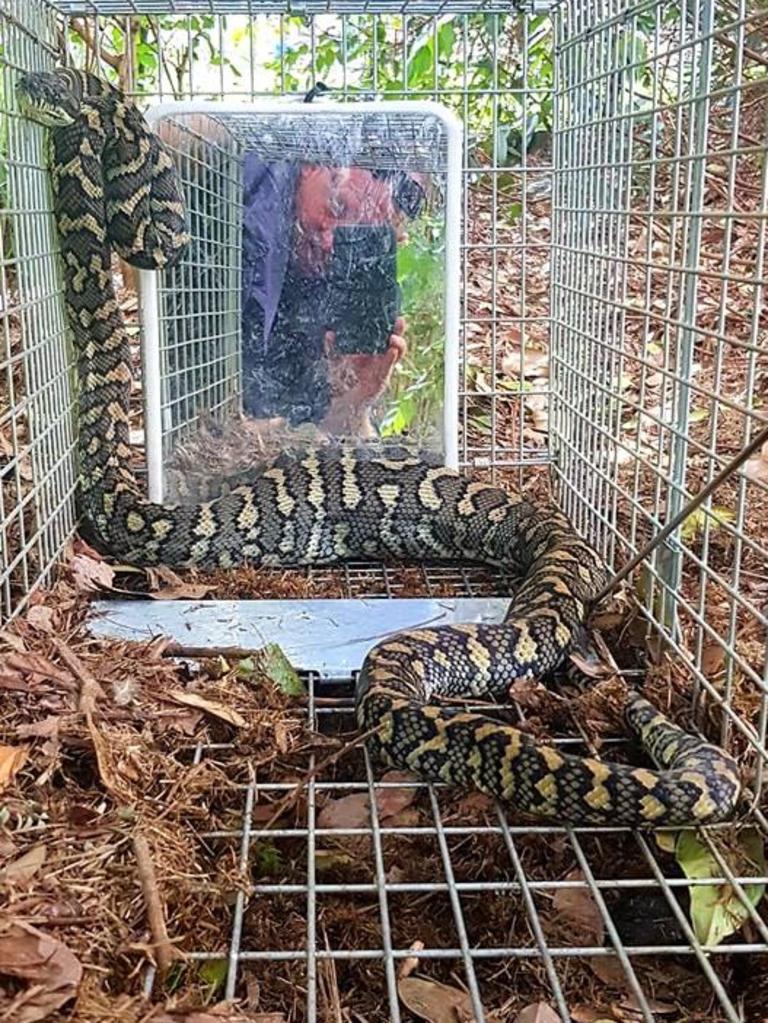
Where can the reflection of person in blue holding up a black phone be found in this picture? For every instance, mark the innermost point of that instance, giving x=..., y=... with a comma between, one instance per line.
x=292, y=368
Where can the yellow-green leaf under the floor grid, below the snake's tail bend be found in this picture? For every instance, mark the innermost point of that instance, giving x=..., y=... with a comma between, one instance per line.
x=716, y=911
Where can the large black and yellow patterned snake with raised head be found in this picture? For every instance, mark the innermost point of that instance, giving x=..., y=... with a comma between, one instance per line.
x=116, y=191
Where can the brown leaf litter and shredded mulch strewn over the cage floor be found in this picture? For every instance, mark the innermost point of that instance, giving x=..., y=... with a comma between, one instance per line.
x=110, y=730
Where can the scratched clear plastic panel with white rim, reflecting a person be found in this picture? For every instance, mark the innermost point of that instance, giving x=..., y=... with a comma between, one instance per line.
x=317, y=299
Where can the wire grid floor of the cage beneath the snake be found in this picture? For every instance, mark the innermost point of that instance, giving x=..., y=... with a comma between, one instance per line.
x=336, y=910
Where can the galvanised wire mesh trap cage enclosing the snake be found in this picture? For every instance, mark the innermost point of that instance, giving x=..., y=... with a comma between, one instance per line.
x=613, y=340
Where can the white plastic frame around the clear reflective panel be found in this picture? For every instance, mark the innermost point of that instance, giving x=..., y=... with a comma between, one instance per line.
x=150, y=305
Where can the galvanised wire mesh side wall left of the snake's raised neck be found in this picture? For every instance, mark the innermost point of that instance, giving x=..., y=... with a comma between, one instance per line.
x=36, y=433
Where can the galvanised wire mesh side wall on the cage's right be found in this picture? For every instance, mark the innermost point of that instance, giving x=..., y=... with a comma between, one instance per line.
x=659, y=333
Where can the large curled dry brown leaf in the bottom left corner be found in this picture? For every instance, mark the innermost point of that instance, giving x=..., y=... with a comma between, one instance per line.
x=54, y=971
